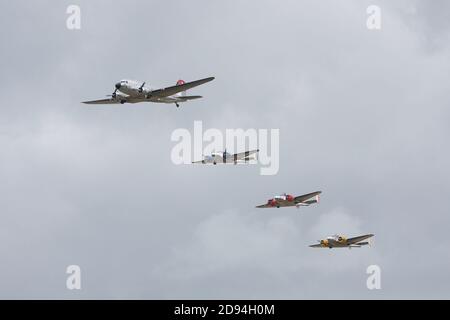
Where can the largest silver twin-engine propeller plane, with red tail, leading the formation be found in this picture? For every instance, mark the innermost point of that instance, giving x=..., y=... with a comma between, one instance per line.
x=132, y=91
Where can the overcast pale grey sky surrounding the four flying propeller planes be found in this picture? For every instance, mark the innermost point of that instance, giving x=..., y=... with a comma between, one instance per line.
x=363, y=116
